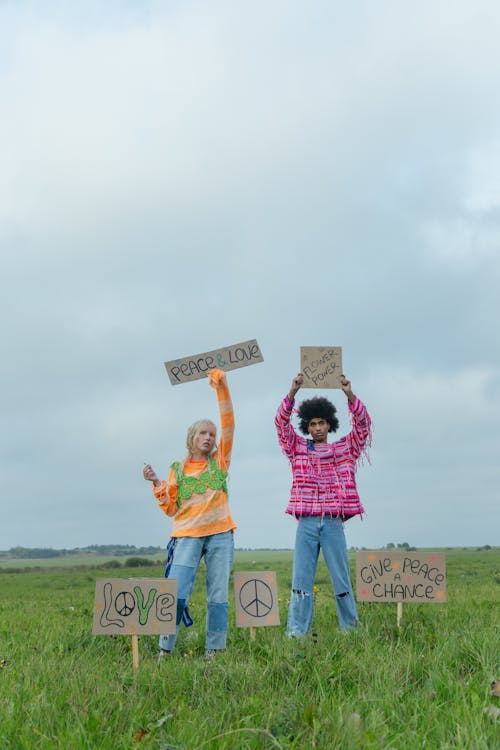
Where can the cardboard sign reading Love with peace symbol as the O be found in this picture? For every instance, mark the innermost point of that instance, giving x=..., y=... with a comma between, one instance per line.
x=132, y=606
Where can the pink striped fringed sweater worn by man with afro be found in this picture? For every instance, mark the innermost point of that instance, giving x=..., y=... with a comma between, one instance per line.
x=324, y=474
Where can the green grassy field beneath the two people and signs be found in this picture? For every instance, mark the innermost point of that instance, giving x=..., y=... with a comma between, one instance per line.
x=423, y=686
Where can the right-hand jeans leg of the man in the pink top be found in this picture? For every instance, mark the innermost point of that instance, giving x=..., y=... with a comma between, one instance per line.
x=333, y=544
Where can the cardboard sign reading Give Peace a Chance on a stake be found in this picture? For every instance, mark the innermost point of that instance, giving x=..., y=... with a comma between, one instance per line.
x=395, y=576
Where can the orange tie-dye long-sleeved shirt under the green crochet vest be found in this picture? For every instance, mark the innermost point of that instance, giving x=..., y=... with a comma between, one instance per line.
x=207, y=514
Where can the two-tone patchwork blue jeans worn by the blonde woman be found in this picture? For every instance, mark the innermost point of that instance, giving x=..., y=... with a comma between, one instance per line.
x=218, y=550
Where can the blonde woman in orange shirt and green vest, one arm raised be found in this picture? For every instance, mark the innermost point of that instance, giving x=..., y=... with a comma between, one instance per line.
x=195, y=494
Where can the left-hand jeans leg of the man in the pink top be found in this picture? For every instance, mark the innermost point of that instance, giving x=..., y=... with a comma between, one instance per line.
x=305, y=560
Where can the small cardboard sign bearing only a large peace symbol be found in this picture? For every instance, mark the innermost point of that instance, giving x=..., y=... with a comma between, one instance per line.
x=256, y=598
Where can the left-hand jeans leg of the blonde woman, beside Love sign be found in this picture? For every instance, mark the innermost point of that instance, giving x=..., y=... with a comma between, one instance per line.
x=187, y=556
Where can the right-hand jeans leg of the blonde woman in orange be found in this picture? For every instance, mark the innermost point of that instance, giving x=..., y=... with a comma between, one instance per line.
x=219, y=552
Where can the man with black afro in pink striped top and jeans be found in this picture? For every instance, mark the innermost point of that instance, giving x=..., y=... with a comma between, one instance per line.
x=323, y=496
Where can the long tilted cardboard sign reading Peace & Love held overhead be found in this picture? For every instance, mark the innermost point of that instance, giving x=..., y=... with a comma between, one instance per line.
x=230, y=358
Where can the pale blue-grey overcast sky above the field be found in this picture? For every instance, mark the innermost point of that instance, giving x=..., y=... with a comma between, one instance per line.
x=180, y=176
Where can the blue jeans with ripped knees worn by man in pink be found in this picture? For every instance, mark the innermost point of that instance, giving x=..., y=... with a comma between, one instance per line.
x=313, y=533
